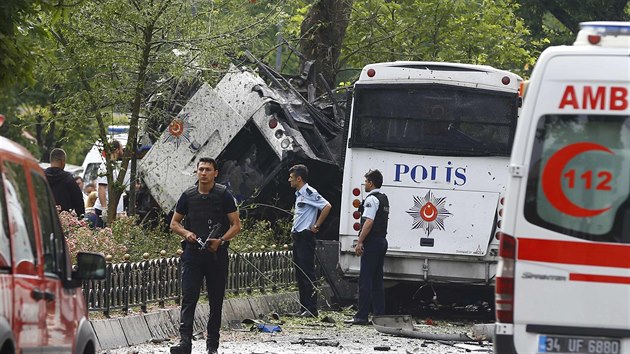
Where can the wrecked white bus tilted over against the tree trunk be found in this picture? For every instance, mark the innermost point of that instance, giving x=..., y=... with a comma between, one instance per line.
x=255, y=132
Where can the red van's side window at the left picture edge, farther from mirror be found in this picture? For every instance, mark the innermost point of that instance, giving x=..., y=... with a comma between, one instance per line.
x=19, y=211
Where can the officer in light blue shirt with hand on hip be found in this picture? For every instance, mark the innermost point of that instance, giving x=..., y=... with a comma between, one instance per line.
x=306, y=223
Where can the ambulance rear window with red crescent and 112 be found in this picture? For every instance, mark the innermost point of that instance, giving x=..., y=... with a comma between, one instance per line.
x=579, y=180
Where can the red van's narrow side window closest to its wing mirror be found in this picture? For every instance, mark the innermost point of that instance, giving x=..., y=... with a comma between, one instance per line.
x=45, y=212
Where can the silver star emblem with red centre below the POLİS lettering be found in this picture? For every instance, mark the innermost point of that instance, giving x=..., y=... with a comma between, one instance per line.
x=428, y=213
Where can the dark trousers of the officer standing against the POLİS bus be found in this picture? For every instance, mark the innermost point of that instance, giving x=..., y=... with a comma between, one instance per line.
x=371, y=287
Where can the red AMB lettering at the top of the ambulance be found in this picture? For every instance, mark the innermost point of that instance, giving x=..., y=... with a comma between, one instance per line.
x=613, y=98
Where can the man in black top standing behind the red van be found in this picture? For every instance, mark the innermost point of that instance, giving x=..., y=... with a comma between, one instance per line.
x=67, y=193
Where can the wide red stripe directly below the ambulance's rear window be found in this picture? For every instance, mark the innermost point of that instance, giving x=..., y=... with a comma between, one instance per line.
x=569, y=252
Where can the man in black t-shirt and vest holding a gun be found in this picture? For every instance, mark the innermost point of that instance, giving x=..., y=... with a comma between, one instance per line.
x=210, y=220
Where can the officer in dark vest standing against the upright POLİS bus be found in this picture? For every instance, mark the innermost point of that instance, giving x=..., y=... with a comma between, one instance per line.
x=372, y=246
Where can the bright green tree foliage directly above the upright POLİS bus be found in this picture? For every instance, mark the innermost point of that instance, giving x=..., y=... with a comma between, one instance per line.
x=480, y=32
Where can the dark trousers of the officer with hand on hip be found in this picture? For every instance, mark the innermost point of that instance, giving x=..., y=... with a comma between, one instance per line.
x=304, y=259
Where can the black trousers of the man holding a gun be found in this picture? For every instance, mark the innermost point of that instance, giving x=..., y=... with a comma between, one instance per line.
x=196, y=266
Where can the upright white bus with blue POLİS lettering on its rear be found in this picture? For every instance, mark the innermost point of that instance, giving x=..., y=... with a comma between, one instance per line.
x=441, y=134
